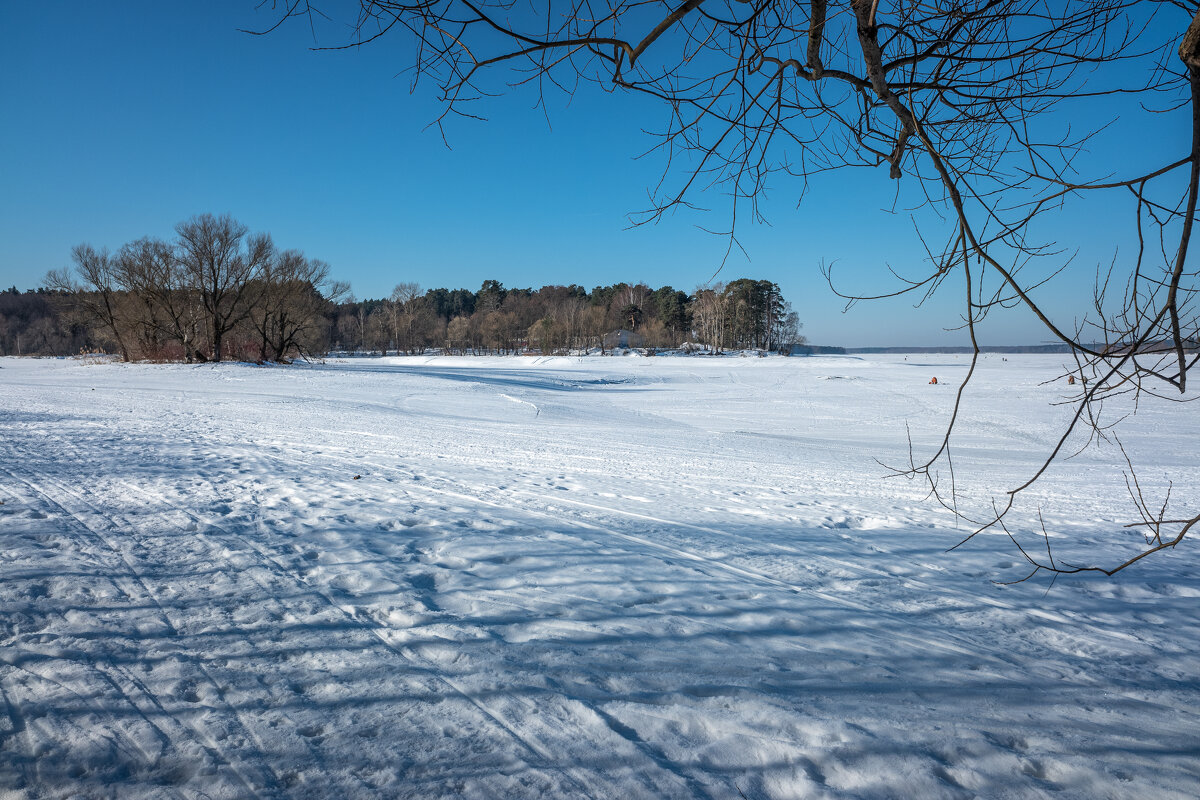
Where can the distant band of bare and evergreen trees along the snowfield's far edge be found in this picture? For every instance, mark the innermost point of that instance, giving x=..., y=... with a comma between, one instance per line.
x=218, y=292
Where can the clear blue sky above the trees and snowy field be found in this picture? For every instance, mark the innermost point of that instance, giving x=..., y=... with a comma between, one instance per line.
x=121, y=119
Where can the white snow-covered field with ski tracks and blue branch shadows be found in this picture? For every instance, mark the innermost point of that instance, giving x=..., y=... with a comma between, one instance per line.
x=616, y=578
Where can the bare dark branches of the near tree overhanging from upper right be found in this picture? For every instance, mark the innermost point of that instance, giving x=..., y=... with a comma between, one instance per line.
x=958, y=100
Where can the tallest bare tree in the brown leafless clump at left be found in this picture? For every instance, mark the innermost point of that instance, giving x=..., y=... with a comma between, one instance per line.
x=223, y=262
